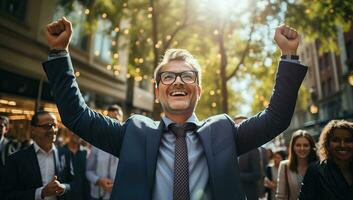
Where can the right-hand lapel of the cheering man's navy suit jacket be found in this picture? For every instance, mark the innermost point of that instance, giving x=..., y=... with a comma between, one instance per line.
x=204, y=133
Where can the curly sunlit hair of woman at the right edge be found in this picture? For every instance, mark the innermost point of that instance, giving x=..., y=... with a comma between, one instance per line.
x=327, y=133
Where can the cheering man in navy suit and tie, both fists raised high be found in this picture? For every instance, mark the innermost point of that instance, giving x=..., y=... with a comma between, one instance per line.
x=178, y=157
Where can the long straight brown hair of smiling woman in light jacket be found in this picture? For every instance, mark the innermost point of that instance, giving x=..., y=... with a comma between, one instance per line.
x=292, y=157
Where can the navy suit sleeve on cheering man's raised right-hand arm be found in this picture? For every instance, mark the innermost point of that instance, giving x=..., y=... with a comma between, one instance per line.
x=269, y=123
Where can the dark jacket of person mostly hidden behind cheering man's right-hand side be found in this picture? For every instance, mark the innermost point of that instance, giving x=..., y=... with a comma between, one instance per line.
x=250, y=174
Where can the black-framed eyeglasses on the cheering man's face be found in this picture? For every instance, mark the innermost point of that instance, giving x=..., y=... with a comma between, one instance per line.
x=168, y=78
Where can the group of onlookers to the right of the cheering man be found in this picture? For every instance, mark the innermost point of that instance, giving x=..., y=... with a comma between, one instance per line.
x=312, y=170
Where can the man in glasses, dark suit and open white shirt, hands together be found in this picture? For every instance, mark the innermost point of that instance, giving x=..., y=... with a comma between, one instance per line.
x=41, y=170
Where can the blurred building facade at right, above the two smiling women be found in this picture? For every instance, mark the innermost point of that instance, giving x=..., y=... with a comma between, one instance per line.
x=330, y=82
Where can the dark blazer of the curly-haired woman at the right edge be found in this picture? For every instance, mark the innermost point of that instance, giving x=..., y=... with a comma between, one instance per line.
x=324, y=180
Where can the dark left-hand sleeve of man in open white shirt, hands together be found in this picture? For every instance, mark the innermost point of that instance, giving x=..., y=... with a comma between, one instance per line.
x=10, y=185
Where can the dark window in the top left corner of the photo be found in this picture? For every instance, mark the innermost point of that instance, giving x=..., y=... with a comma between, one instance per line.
x=15, y=8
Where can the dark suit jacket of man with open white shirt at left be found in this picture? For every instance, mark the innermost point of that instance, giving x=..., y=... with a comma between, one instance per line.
x=22, y=174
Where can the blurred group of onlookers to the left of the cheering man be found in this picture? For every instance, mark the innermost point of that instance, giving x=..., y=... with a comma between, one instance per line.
x=50, y=164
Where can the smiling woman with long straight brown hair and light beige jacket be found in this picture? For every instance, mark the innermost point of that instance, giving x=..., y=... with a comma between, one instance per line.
x=291, y=172
